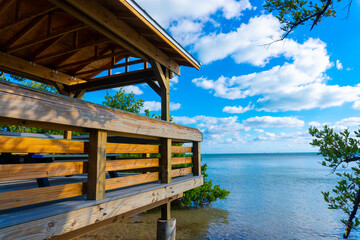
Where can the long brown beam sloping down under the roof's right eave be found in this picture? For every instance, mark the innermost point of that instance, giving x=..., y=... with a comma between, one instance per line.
x=101, y=19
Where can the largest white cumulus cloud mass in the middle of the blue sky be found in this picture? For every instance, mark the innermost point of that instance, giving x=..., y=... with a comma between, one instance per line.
x=300, y=83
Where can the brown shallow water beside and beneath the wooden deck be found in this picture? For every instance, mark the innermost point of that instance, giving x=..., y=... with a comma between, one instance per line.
x=202, y=223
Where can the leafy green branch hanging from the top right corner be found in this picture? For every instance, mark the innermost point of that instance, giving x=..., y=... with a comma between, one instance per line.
x=294, y=13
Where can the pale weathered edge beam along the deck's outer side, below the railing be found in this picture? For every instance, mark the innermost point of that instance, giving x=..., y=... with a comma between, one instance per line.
x=118, y=204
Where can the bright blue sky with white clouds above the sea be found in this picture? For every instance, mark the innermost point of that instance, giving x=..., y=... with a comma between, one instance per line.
x=249, y=96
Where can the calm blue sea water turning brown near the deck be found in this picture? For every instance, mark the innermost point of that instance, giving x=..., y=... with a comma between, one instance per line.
x=273, y=196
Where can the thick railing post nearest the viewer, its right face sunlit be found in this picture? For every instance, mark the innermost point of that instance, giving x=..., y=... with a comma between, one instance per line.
x=97, y=165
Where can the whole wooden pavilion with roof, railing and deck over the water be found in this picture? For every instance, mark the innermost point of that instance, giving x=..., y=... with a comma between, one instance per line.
x=81, y=46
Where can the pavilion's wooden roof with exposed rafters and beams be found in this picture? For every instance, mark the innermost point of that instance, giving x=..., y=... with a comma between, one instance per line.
x=69, y=42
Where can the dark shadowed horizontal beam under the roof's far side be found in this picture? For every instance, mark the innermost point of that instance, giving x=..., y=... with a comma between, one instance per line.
x=118, y=80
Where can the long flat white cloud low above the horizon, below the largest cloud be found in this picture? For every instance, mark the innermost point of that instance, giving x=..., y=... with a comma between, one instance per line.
x=269, y=121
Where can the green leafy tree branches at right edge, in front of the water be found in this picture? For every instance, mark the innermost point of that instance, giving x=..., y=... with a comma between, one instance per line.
x=341, y=154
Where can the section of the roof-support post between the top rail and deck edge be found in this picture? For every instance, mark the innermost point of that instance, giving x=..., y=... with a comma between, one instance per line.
x=165, y=160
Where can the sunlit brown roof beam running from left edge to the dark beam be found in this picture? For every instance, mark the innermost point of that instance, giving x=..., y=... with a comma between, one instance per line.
x=18, y=66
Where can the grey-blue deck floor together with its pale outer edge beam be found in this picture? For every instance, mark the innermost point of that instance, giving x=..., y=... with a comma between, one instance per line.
x=53, y=219
